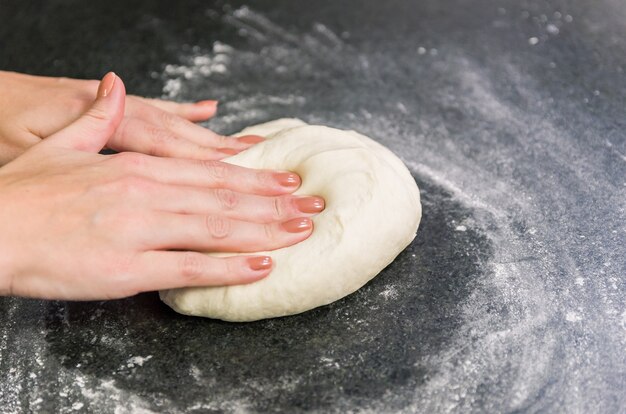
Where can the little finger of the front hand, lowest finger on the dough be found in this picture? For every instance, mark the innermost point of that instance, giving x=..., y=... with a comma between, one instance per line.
x=158, y=270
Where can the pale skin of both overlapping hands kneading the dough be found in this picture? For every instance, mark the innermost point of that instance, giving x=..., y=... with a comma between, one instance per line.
x=75, y=224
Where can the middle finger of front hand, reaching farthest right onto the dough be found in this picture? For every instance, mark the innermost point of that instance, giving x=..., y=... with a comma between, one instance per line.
x=234, y=205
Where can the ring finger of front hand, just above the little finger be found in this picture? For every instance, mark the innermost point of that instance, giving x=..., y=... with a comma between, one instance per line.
x=215, y=233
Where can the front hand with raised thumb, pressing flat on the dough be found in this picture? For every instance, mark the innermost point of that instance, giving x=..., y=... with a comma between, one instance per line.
x=75, y=224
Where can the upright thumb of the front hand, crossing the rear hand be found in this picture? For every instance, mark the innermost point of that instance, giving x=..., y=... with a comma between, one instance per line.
x=93, y=129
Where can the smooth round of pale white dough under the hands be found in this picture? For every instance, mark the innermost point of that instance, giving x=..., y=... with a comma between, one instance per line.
x=372, y=213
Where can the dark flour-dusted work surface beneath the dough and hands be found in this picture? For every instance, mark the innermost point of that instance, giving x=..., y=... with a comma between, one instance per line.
x=510, y=115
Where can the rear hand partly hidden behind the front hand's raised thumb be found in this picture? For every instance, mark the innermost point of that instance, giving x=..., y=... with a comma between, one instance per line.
x=34, y=107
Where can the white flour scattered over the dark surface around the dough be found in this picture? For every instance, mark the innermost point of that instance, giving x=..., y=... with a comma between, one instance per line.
x=546, y=255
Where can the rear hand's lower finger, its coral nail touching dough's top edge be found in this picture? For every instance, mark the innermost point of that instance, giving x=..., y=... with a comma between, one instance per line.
x=193, y=132
